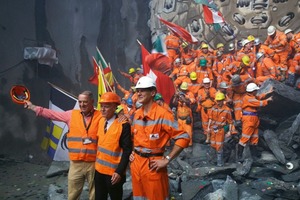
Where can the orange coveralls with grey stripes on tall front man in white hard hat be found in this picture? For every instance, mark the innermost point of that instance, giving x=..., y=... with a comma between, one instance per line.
x=150, y=134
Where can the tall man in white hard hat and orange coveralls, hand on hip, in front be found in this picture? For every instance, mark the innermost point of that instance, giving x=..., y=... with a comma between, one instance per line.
x=152, y=127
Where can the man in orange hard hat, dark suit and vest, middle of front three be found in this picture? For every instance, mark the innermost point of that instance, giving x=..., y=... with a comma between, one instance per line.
x=114, y=148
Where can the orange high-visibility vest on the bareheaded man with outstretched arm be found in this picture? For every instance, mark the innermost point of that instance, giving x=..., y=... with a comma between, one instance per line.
x=78, y=133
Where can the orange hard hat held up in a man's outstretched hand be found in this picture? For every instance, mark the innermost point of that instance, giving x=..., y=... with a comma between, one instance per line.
x=19, y=93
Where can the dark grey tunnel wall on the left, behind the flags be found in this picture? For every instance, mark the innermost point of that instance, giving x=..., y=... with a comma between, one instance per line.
x=73, y=29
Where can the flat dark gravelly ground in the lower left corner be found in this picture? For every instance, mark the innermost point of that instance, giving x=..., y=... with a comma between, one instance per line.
x=23, y=180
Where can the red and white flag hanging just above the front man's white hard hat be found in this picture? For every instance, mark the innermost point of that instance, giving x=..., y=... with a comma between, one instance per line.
x=164, y=84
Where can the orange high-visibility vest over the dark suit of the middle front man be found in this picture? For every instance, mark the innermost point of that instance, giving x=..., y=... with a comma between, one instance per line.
x=109, y=152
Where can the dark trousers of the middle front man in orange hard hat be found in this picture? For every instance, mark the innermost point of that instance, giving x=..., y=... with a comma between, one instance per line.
x=103, y=187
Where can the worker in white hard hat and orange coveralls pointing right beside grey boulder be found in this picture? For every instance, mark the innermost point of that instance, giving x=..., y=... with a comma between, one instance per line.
x=250, y=120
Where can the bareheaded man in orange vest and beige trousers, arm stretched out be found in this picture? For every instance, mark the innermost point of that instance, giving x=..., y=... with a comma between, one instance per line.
x=82, y=141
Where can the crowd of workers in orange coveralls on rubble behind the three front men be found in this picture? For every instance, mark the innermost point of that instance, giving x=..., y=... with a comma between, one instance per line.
x=220, y=84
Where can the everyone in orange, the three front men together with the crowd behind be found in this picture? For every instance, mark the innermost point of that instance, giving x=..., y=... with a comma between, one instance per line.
x=220, y=87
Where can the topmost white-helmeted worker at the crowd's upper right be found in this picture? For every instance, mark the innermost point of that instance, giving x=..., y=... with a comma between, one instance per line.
x=277, y=40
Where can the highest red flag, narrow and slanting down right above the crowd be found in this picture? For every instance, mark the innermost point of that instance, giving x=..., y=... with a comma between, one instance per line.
x=179, y=31
